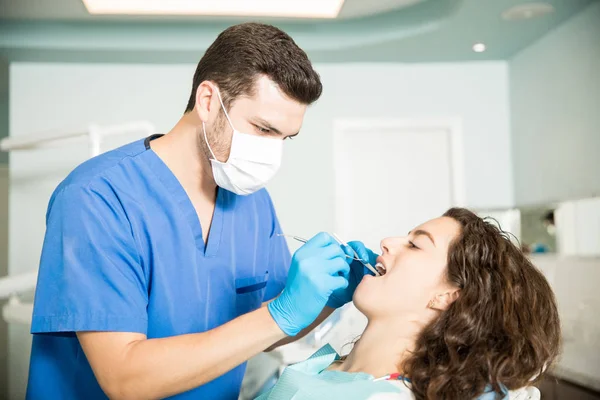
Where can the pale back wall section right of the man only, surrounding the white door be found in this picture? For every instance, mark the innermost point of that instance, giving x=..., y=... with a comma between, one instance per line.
x=477, y=93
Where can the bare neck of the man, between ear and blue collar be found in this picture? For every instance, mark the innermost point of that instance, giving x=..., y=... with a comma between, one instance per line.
x=182, y=150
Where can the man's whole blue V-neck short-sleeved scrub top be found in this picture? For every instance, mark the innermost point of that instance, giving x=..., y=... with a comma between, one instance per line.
x=124, y=252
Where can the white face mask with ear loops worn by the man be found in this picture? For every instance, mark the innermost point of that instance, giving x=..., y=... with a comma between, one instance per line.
x=253, y=161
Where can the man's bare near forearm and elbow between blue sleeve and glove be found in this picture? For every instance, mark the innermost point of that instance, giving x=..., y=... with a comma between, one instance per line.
x=129, y=366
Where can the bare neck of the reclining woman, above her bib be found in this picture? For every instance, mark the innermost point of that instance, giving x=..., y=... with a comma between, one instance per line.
x=383, y=346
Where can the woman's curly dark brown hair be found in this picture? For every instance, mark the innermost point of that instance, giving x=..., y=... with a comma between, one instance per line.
x=502, y=331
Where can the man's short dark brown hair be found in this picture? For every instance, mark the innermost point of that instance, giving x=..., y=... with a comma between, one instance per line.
x=244, y=52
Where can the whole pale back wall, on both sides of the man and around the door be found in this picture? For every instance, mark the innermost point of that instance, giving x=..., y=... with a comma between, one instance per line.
x=56, y=96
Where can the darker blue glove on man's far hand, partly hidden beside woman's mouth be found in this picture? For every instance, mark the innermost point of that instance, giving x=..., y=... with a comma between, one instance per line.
x=357, y=270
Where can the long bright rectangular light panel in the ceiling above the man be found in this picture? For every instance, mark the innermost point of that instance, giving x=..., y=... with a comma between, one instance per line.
x=254, y=8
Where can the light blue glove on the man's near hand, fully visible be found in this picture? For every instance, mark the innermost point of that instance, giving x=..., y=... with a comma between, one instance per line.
x=318, y=269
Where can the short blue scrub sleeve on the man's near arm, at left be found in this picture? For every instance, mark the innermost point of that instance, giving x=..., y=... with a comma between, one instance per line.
x=90, y=277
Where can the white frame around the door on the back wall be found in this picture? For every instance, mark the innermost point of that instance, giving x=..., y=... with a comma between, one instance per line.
x=453, y=125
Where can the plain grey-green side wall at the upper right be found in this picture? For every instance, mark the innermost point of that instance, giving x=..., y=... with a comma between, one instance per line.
x=555, y=109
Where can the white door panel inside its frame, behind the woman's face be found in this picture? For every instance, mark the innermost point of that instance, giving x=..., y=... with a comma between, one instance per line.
x=390, y=179
